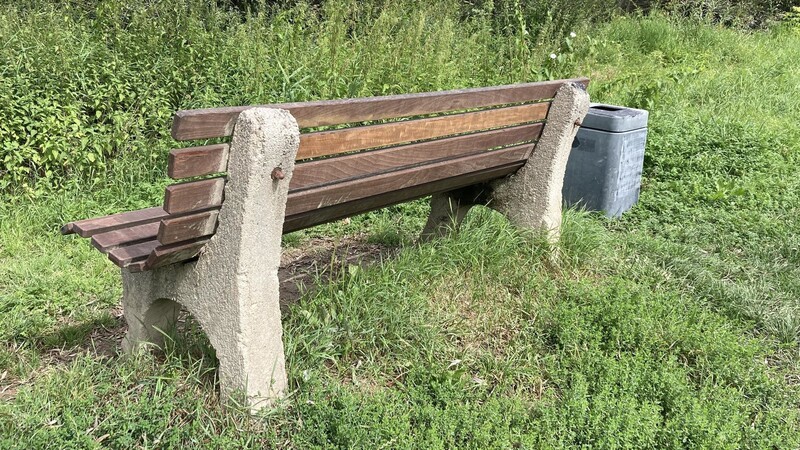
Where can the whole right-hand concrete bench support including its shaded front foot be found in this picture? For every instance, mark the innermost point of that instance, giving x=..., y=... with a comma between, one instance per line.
x=531, y=197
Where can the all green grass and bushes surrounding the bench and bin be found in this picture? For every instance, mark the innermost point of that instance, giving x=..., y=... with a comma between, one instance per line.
x=676, y=326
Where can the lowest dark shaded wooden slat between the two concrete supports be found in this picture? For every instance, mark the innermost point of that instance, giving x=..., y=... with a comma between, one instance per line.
x=324, y=215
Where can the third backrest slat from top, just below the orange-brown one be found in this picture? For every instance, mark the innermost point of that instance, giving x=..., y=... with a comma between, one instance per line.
x=324, y=171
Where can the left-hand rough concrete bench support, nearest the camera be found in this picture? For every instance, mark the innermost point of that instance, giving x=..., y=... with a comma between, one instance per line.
x=232, y=289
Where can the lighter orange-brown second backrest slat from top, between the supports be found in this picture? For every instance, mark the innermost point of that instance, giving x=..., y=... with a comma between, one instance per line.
x=326, y=143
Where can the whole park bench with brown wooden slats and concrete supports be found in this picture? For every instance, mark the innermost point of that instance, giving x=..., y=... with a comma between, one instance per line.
x=214, y=245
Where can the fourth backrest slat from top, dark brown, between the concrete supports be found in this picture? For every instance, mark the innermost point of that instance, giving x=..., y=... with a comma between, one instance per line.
x=348, y=191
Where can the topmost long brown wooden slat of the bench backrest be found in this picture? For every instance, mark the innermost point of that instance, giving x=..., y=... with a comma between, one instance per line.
x=219, y=122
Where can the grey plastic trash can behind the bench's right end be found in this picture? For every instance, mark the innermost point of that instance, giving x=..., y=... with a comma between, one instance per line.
x=604, y=171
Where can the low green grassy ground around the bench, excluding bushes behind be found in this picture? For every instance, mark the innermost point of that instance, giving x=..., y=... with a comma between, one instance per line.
x=676, y=326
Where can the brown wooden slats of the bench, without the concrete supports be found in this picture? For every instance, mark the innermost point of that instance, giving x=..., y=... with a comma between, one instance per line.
x=433, y=142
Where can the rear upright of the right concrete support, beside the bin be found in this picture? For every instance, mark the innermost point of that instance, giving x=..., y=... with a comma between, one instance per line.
x=531, y=198
